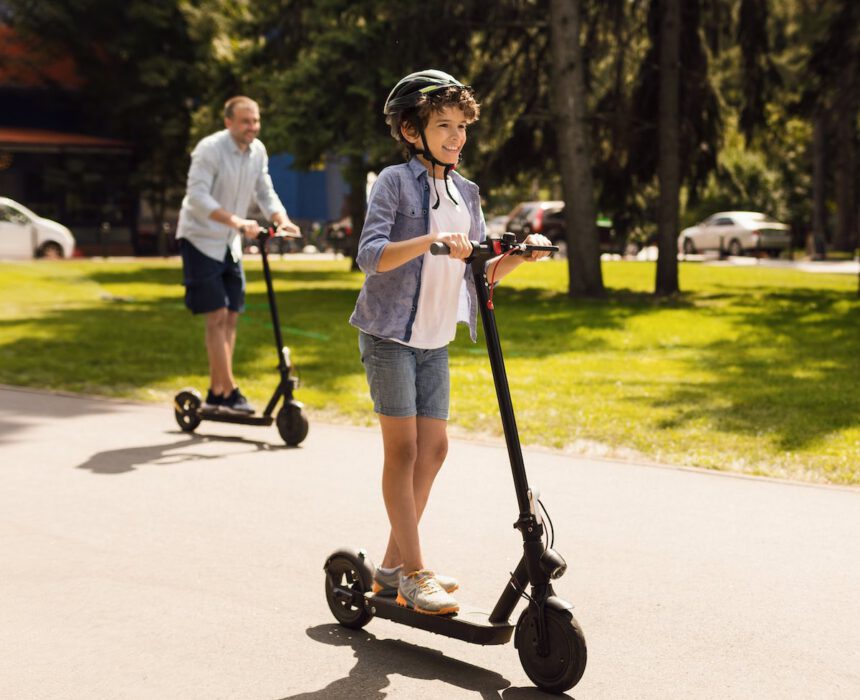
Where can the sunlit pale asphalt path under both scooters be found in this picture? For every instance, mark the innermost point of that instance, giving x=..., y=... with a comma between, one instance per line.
x=137, y=561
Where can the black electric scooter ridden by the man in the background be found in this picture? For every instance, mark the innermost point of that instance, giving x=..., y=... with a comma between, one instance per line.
x=291, y=421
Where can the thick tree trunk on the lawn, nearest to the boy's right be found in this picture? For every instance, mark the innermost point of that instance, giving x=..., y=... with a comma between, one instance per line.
x=574, y=152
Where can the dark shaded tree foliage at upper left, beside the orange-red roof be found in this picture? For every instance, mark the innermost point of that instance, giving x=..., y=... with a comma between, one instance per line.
x=140, y=70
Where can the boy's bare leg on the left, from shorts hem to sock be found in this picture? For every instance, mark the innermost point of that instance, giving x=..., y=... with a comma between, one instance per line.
x=400, y=440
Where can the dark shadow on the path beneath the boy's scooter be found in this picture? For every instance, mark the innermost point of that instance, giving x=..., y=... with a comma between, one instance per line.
x=376, y=659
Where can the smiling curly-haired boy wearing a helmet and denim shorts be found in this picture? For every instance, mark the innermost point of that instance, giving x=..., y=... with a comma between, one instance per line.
x=408, y=310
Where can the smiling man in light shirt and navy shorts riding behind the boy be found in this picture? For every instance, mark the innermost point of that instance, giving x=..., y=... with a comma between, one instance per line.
x=228, y=170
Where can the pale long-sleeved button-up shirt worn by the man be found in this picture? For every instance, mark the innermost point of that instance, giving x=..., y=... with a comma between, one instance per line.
x=222, y=176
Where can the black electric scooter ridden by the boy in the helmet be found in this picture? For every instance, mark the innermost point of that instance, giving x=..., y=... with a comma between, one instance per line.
x=549, y=640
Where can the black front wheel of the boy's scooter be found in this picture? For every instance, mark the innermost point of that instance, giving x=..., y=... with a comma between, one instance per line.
x=563, y=664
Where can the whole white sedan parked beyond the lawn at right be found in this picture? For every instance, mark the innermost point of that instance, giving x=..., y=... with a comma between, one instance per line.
x=735, y=233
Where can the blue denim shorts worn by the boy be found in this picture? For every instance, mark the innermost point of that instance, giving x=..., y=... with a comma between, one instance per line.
x=405, y=381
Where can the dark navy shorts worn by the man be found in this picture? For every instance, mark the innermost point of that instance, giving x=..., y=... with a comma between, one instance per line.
x=209, y=284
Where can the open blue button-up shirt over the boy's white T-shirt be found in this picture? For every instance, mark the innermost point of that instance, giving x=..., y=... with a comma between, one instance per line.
x=399, y=209
